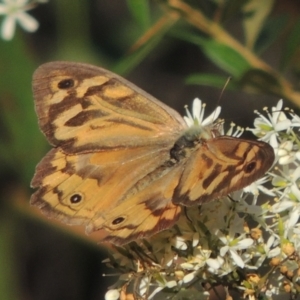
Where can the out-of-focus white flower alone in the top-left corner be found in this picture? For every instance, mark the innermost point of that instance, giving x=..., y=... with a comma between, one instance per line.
x=14, y=12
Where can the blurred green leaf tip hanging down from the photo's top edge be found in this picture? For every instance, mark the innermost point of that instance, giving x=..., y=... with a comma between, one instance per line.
x=140, y=11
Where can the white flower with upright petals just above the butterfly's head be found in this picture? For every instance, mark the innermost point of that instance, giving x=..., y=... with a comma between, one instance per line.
x=196, y=118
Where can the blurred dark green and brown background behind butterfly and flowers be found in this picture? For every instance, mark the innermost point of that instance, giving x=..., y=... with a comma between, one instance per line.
x=176, y=51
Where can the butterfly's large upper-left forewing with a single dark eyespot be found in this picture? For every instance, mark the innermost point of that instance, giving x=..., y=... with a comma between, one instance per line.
x=84, y=108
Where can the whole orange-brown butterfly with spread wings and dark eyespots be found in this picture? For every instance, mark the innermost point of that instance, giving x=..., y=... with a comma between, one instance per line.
x=125, y=162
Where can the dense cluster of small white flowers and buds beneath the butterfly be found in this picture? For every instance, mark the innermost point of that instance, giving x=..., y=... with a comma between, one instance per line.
x=248, y=242
